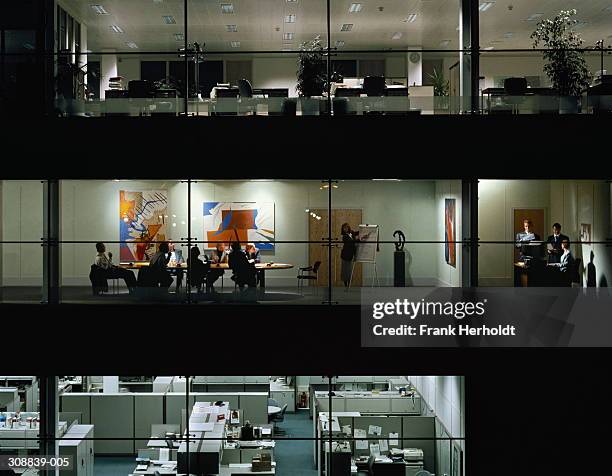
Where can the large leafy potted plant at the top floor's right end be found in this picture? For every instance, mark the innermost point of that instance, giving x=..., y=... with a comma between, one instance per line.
x=565, y=64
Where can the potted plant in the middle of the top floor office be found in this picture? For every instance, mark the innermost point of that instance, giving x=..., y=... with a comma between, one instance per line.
x=311, y=74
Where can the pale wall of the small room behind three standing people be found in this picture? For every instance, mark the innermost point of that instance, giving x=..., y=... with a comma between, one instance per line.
x=567, y=202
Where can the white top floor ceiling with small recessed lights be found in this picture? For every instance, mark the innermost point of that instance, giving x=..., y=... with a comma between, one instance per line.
x=260, y=23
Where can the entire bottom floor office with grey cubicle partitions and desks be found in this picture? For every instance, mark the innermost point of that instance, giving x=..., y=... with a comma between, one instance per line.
x=286, y=425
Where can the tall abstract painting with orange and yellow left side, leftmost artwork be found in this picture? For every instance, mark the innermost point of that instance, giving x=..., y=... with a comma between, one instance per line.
x=142, y=220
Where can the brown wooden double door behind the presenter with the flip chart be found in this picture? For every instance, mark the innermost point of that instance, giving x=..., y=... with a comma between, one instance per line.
x=318, y=230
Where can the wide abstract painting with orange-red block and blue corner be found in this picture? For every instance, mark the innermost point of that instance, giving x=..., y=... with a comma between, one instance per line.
x=246, y=222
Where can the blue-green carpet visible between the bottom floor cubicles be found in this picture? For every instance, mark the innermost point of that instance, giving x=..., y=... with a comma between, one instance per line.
x=293, y=458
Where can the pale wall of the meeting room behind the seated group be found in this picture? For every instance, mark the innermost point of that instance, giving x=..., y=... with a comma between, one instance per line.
x=90, y=212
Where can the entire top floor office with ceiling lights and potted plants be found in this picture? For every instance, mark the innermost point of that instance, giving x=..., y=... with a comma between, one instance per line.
x=297, y=57
